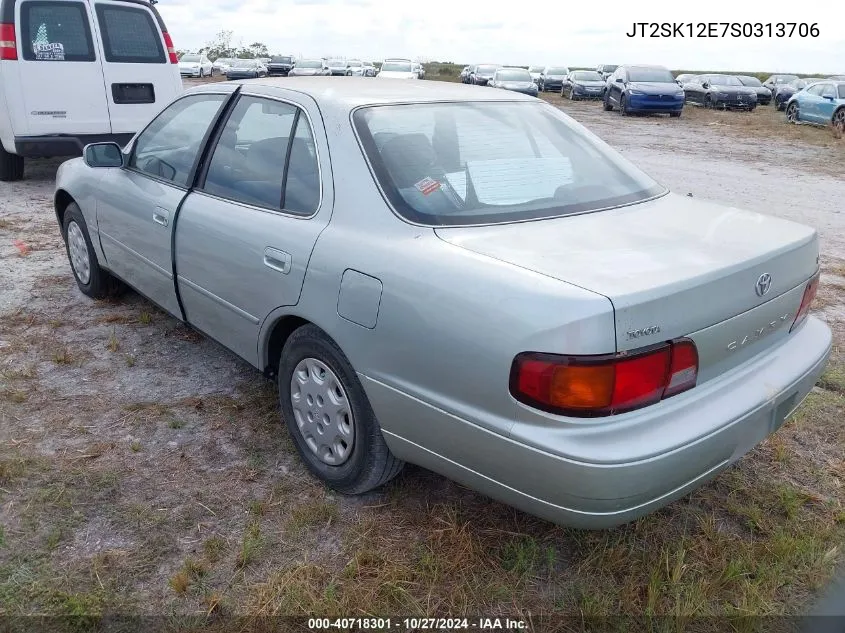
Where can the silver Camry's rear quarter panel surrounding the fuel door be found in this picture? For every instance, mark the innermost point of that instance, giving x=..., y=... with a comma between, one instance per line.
x=449, y=321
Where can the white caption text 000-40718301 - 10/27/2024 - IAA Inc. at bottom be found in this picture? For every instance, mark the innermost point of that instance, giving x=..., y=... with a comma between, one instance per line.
x=417, y=624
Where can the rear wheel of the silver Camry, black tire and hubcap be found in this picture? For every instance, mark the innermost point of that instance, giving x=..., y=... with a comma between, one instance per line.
x=368, y=464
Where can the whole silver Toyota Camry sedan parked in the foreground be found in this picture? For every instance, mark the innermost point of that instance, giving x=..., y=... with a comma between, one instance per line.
x=464, y=279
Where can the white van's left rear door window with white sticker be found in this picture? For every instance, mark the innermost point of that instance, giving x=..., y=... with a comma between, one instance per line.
x=56, y=31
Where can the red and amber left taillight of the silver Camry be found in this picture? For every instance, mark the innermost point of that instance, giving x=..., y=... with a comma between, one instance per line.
x=591, y=386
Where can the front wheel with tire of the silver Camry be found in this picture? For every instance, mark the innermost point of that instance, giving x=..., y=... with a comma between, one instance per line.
x=93, y=281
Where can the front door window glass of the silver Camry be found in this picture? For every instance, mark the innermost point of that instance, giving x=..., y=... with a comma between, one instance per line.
x=169, y=147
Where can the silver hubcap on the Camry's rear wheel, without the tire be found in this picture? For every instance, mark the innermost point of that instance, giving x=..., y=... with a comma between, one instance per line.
x=322, y=411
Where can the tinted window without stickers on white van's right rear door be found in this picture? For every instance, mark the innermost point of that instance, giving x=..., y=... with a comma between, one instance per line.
x=130, y=35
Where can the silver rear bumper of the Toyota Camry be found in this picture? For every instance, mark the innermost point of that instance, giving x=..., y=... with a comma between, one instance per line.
x=724, y=419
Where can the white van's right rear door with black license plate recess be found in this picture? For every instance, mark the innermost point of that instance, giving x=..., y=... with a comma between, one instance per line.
x=139, y=64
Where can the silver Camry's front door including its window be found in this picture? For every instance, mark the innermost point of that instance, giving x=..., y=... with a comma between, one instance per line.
x=138, y=203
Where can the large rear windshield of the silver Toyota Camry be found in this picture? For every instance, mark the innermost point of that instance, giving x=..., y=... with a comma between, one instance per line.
x=448, y=164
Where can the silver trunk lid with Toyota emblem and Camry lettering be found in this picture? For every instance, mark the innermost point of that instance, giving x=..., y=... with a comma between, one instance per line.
x=672, y=267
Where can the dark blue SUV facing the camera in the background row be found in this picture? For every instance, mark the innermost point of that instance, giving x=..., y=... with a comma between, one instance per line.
x=643, y=89
